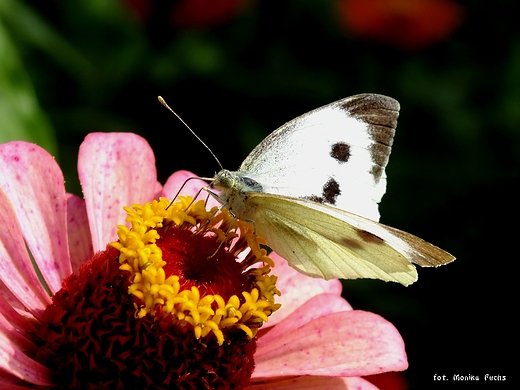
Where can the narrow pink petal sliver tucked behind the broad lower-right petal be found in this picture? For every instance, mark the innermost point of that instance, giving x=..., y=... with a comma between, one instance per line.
x=316, y=307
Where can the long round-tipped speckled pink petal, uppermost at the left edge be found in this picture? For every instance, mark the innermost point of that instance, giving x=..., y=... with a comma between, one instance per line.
x=33, y=182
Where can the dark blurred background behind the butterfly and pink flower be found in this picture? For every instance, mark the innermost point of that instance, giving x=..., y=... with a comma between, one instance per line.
x=235, y=70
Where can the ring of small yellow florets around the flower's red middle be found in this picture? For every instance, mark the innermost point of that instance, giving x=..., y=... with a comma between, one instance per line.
x=156, y=293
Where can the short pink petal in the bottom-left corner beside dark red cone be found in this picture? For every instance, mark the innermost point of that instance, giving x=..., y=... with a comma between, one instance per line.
x=17, y=363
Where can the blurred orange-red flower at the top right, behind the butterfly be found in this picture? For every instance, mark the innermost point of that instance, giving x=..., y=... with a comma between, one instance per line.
x=404, y=23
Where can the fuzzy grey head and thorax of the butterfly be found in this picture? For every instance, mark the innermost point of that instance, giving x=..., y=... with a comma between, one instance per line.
x=234, y=187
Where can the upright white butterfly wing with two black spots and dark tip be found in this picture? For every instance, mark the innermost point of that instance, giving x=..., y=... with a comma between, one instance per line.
x=334, y=155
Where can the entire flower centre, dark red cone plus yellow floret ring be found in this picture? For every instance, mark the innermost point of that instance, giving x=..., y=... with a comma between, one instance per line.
x=169, y=305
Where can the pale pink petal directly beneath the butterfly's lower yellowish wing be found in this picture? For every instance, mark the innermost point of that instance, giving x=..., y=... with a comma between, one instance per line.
x=297, y=288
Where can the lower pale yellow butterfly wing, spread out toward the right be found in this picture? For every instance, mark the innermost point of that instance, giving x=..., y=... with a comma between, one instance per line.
x=323, y=241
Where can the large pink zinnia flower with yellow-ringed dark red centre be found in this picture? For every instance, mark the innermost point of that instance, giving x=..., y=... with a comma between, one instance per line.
x=315, y=338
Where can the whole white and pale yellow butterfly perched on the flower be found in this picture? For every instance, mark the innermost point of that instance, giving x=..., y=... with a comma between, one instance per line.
x=312, y=189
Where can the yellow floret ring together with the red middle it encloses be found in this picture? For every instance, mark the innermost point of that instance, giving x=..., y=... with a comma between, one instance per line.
x=182, y=262
